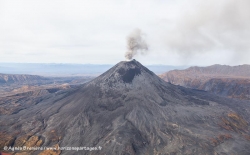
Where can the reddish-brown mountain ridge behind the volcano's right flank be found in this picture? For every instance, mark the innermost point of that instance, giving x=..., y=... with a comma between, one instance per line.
x=230, y=81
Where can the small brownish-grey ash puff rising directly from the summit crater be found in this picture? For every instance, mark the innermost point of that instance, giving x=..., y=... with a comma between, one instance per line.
x=135, y=44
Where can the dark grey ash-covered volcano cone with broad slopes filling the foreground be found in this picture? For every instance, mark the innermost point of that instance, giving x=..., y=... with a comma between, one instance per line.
x=130, y=110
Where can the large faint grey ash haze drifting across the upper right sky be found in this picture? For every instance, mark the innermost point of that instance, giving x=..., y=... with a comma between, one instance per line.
x=211, y=27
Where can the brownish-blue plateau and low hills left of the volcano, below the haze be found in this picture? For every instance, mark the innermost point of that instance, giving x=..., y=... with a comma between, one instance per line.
x=11, y=84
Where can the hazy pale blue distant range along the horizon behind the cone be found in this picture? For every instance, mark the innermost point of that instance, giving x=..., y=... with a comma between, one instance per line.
x=53, y=69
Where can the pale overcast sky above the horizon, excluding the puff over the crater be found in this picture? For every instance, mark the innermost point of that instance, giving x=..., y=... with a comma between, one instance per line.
x=178, y=32
